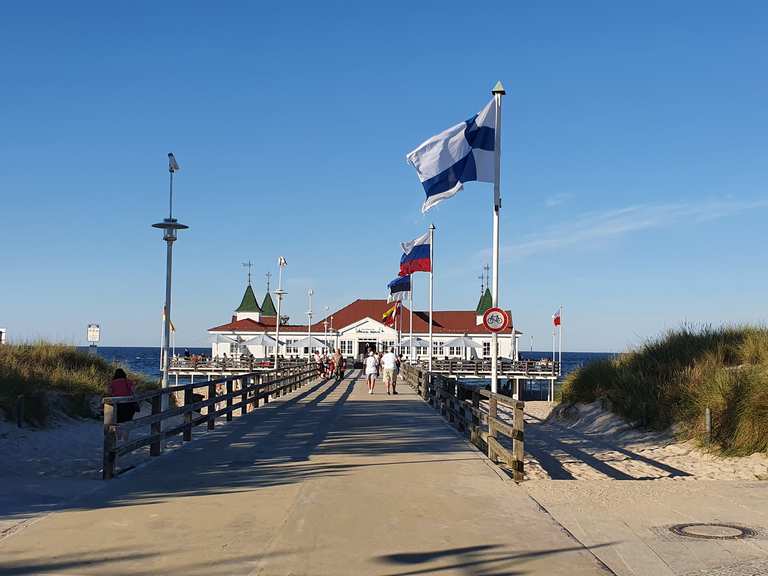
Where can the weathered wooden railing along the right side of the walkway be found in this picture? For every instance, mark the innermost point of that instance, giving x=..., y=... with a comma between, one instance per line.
x=474, y=411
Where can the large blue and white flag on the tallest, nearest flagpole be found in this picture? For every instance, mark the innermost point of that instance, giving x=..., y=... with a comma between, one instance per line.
x=461, y=154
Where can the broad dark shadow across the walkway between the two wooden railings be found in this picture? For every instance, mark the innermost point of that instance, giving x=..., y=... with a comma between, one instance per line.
x=275, y=445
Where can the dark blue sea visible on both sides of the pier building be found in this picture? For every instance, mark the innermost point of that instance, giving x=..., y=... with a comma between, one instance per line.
x=146, y=360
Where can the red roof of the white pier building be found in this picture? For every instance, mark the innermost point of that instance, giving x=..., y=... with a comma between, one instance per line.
x=443, y=322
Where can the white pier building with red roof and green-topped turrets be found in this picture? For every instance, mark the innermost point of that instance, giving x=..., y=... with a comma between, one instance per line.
x=357, y=327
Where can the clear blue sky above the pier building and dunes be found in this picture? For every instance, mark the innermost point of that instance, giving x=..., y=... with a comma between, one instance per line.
x=633, y=175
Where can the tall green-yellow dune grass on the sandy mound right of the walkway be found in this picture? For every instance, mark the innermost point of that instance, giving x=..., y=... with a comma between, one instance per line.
x=672, y=380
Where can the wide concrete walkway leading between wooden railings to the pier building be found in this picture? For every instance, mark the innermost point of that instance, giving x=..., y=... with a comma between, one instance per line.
x=329, y=481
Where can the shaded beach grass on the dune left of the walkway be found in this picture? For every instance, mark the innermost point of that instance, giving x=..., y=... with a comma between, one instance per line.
x=41, y=370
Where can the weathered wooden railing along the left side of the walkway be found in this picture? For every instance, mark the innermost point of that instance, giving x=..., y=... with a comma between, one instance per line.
x=223, y=396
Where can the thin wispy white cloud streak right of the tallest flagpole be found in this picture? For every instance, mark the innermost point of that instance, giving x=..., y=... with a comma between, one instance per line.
x=593, y=226
